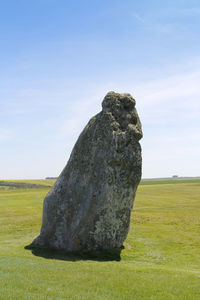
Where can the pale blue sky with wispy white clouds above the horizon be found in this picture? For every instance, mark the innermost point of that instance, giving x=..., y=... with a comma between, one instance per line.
x=59, y=59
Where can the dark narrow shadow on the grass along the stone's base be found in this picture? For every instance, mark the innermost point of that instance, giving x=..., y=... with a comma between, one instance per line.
x=108, y=255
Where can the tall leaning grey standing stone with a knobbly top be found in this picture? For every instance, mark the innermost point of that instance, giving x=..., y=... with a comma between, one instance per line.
x=89, y=206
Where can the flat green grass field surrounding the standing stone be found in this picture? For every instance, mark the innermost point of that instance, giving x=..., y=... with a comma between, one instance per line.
x=161, y=259
